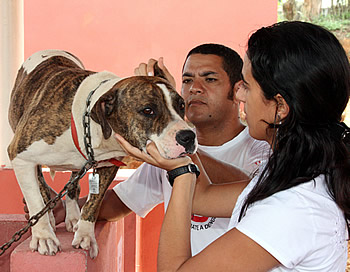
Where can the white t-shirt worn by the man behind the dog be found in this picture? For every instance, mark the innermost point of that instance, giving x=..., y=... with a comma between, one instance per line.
x=149, y=186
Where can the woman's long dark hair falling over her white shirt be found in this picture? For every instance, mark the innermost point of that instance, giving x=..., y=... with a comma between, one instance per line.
x=308, y=66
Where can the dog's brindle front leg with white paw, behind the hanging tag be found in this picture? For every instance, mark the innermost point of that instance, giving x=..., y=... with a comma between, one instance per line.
x=84, y=236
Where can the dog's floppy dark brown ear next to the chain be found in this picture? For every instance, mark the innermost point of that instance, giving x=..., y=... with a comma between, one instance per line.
x=101, y=110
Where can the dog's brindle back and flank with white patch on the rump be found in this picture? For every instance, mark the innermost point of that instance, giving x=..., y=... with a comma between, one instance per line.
x=42, y=97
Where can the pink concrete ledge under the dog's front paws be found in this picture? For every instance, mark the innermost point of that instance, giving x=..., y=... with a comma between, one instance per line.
x=109, y=236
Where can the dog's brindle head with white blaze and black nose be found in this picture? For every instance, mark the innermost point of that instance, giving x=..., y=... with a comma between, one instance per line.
x=144, y=108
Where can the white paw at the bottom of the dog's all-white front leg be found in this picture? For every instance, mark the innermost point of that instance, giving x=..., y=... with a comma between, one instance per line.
x=44, y=240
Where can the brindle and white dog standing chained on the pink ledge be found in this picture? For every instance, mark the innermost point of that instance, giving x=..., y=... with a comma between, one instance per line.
x=48, y=101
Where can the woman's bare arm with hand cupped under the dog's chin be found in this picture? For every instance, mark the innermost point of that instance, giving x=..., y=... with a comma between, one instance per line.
x=233, y=251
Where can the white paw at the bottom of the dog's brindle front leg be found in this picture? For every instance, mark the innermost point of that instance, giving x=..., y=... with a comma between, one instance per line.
x=84, y=237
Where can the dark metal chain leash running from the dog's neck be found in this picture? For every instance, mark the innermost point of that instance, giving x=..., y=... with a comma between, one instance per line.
x=90, y=163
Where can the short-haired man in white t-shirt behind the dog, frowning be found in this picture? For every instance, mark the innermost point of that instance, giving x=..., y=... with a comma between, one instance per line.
x=210, y=78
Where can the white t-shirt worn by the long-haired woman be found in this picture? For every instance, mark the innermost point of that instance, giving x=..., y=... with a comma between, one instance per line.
x=302, y=227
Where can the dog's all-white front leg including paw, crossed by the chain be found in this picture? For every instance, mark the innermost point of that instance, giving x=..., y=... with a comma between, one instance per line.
x=44, y=239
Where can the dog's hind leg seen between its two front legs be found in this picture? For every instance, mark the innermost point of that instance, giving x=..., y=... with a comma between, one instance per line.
x=72, y=207
